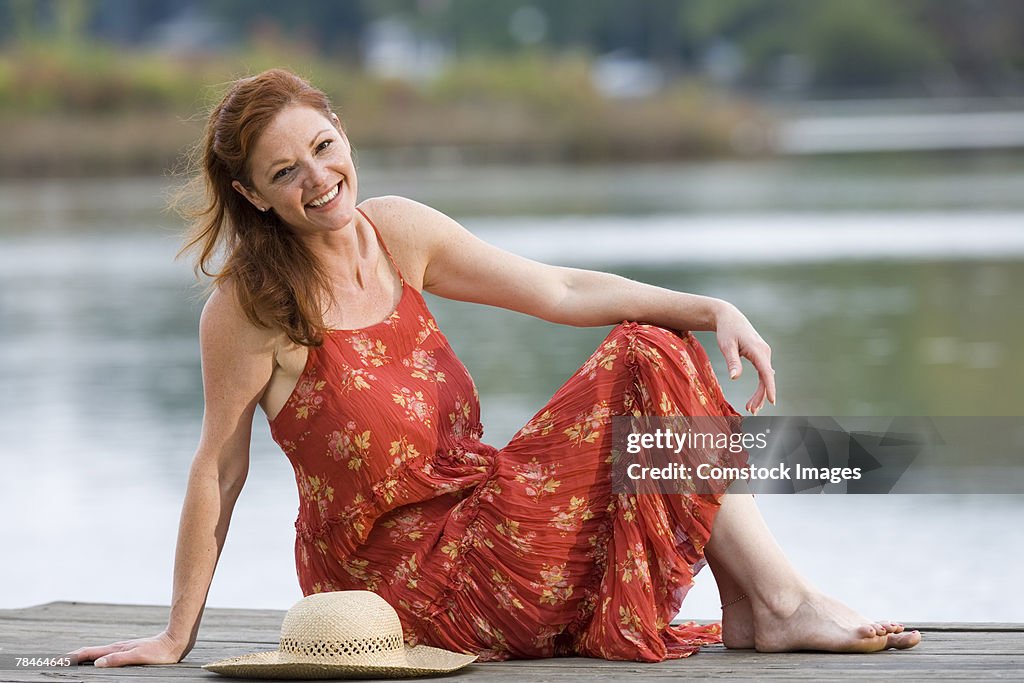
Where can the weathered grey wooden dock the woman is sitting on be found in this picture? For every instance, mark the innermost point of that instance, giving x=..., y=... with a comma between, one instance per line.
x=949, y=652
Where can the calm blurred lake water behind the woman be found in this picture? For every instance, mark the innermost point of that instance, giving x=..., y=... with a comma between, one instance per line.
x=883, y=291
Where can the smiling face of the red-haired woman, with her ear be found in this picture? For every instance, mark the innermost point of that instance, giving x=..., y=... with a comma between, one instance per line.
x=302, y=168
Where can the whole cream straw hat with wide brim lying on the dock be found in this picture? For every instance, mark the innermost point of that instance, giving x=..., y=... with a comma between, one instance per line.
x=346, y=634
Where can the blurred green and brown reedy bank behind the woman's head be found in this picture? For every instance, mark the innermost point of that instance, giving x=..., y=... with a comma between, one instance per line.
x=83, y=110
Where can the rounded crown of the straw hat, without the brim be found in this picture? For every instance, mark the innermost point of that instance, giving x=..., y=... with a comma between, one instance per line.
x=342, y=627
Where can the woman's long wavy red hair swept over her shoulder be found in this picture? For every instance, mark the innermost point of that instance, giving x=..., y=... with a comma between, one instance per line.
x=278, y=281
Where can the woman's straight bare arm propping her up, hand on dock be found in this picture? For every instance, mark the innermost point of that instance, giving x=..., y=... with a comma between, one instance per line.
x=238, y=362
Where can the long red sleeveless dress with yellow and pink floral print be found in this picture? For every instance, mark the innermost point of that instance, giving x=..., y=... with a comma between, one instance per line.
x=520, y=552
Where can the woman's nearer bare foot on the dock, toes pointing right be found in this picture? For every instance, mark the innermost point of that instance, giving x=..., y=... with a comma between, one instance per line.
x=816, y=622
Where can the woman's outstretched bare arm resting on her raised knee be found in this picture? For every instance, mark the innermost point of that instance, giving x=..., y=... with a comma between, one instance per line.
x=460, y=266
